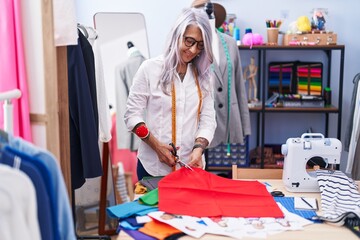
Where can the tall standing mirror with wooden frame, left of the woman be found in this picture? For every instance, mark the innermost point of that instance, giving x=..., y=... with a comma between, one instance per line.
x=115, y=31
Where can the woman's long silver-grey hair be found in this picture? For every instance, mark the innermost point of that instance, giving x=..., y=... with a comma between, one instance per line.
x=202, y=63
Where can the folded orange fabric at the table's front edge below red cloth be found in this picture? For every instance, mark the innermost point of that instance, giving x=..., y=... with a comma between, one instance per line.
x=158, y=229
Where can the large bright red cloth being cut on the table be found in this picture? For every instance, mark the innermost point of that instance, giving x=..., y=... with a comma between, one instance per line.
x=202, y=194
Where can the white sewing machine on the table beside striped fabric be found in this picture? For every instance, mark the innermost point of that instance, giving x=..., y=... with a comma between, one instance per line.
x=303, y=156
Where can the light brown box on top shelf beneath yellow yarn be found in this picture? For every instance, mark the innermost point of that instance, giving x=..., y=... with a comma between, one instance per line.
x=310, y=39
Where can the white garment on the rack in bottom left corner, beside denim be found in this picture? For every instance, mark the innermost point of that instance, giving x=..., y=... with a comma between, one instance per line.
x=18, y=208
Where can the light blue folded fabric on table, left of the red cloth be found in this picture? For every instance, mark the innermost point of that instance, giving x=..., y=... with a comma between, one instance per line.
x=130, y=209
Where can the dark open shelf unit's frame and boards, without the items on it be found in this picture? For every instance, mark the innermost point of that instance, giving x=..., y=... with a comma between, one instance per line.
x=261, y=111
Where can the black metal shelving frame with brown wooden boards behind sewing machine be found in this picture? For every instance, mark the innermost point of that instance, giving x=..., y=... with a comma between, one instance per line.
x=263, y=51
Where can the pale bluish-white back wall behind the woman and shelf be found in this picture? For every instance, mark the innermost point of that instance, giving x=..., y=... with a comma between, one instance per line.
x=160, y=15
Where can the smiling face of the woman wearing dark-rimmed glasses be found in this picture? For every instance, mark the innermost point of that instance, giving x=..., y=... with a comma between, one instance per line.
x=192, y=43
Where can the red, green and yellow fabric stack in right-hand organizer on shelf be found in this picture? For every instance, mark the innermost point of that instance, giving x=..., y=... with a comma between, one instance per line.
x=310, y=79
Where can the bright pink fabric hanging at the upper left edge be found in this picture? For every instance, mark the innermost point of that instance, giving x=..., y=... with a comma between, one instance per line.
x=12, y=67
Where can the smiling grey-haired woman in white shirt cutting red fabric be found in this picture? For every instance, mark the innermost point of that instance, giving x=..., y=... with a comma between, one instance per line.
x=171, y=99
